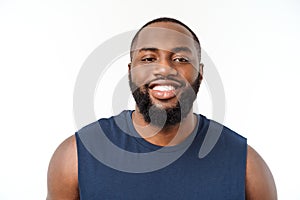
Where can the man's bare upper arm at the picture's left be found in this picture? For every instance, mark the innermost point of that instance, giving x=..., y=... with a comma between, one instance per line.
x=62, y=172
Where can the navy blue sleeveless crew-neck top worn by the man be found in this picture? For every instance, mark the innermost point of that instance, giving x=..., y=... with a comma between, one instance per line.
x=114, y=162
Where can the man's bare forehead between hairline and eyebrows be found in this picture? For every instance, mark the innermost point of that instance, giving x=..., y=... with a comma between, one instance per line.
x=165, y=36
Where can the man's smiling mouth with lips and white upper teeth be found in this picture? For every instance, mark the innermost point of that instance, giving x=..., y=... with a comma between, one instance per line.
x=164, y=89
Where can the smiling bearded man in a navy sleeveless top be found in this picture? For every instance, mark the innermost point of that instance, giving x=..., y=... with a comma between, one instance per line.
x=165, y=73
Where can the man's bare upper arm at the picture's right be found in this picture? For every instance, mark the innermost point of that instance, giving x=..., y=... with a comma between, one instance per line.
x=259, y=180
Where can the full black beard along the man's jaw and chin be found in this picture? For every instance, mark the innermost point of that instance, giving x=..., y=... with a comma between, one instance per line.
x=164, y=117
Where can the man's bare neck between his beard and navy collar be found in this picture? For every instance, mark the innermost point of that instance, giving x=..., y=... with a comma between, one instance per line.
x=166, y=136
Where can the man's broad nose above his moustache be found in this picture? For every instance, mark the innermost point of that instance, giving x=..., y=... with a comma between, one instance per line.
x=165, y=67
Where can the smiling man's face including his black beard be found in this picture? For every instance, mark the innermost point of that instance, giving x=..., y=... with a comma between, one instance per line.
x=165, y=73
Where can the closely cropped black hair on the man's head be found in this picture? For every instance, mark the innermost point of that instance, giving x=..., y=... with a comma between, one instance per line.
x=172, y=20
